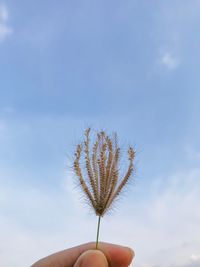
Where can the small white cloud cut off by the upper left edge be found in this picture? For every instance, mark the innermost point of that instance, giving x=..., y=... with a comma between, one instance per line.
x=5, y=29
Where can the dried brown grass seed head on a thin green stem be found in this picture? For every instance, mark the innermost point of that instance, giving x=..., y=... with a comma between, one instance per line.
x=99, y=179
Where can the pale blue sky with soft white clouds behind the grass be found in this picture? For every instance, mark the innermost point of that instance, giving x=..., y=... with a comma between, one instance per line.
x=130, y=67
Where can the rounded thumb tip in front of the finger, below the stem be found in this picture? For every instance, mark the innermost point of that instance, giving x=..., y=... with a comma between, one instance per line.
x=92, y=258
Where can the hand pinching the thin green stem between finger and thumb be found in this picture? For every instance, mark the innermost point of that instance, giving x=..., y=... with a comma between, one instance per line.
x=86, y=256
